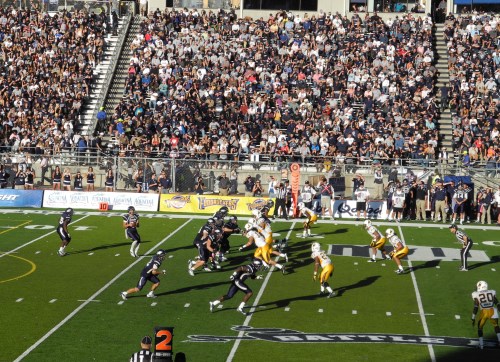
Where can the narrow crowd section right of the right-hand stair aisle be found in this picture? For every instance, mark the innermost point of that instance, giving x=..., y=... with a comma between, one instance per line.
x=474, y=59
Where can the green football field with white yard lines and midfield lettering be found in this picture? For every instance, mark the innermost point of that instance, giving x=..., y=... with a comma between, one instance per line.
x=69, y=308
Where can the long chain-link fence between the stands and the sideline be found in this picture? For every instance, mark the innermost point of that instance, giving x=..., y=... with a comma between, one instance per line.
x=134, y=173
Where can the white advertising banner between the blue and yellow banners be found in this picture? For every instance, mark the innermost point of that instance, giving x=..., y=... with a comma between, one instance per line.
x=91, y=200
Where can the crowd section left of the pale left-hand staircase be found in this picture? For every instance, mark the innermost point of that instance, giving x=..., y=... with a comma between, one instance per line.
x=46, y=75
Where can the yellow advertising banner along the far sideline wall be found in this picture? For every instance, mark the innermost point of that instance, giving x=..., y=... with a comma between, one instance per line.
x=209, y=204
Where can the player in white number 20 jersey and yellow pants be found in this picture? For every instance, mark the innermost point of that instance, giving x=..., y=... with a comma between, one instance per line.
x=485, y=300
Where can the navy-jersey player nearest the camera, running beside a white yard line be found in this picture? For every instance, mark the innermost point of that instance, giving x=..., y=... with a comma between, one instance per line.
x=238, y=283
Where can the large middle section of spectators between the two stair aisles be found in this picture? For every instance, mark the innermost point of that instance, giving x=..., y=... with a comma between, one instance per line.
x=208, y=84
